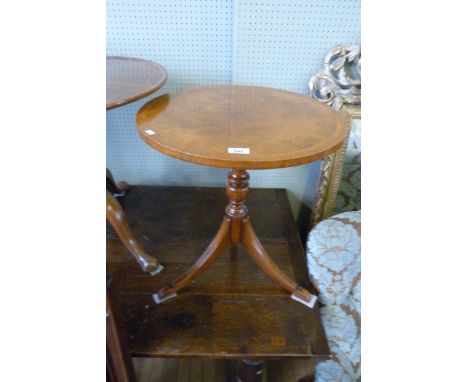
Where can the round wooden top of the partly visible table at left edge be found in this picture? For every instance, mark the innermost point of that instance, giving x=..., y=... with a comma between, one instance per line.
x=130, y=79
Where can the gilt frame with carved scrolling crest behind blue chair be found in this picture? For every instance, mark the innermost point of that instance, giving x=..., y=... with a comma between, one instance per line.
x=339, y=86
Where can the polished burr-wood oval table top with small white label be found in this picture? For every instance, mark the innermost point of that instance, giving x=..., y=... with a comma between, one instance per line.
x=241, y=127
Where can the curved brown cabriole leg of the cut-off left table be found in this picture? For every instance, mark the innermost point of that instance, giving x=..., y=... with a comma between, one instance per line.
x=116, y=217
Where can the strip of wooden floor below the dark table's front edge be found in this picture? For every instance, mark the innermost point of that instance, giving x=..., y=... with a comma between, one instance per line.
x=206, y=370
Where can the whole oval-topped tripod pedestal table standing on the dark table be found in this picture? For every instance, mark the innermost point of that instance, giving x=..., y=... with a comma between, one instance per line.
x=240, y=128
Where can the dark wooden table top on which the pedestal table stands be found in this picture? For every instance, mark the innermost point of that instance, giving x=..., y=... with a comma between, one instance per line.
x=234, y=310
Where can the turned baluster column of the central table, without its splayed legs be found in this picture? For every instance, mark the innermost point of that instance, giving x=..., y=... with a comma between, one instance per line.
x=236, y=211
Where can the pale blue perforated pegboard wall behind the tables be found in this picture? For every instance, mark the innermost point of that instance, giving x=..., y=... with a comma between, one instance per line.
x=277, y=44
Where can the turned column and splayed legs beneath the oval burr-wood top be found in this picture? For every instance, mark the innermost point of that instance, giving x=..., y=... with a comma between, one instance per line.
x=236, y=228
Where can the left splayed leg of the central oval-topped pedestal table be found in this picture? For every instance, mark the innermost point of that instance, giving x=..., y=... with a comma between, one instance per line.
x=211, y=254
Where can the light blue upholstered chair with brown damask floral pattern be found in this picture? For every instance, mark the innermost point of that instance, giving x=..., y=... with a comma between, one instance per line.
x=334, y=266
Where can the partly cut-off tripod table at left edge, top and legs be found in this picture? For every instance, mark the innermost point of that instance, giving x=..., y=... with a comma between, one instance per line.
x=128, y=80
